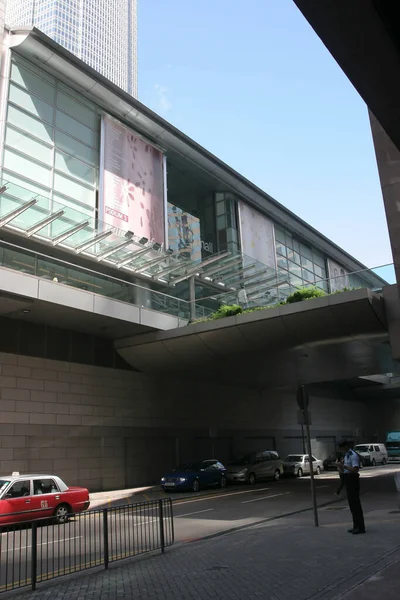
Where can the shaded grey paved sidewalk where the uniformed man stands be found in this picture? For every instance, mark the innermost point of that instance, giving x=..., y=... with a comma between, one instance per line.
x=285, y=559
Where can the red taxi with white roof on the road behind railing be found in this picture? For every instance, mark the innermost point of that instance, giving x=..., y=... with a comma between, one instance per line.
x=29, y=497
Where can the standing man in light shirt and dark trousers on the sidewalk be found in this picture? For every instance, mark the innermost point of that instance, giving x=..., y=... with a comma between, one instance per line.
x=350, y=467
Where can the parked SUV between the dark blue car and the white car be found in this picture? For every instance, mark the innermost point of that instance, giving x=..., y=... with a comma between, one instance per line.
x=255, y=466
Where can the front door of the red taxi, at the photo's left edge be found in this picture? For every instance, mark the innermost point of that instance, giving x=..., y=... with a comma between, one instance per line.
x=16, y=504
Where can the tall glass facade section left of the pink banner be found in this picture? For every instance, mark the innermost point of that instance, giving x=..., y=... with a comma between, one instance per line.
x=51, y=143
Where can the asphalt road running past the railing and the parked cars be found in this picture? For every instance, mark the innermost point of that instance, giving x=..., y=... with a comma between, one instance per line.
x=78, y=544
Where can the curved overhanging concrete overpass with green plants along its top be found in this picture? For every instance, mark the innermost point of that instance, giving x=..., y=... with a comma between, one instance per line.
x=333, y=338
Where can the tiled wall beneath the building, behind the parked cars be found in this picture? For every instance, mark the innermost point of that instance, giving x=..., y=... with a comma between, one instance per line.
x=106, y=429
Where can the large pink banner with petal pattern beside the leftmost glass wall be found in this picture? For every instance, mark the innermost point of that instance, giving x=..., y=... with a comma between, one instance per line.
x=133, y=190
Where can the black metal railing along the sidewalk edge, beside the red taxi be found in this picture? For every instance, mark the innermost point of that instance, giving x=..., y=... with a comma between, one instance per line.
x=40, y=551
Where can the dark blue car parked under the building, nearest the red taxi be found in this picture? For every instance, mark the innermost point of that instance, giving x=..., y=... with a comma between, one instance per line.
x=194, y=476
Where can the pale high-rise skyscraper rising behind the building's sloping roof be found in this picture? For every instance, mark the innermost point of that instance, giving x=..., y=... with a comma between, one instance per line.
x=103, y=33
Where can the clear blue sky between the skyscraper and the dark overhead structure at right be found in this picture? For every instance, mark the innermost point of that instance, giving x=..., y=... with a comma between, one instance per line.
x=253, y=84
